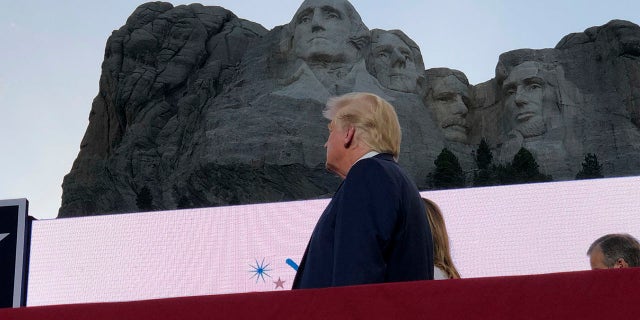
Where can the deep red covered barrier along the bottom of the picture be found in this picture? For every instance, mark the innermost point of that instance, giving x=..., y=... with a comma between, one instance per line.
x=601, y=294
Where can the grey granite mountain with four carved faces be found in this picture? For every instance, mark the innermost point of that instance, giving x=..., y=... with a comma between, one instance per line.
x=202, y=108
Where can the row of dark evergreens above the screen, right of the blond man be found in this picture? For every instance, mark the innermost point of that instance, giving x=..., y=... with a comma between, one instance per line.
x=523, y=168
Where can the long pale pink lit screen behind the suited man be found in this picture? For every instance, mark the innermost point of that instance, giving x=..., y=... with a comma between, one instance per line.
x=494, y=231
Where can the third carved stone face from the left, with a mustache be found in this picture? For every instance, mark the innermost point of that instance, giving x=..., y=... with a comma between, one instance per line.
x=450, y=103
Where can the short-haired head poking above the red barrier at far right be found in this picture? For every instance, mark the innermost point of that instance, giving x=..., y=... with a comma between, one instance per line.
x=614, y=251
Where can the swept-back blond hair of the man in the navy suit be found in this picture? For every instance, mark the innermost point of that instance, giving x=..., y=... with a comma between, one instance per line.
x=374, y=118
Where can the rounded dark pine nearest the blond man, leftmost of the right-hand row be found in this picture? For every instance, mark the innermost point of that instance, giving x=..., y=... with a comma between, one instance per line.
x=448, y=172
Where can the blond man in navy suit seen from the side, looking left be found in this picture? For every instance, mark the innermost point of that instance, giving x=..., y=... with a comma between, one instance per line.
x=375, y=228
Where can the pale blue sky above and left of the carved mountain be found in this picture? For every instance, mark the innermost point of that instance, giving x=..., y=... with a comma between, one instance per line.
x=51, y=52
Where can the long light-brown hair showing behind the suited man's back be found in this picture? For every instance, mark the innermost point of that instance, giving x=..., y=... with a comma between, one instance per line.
x=441, y=252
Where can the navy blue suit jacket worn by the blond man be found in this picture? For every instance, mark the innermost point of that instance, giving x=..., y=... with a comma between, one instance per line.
x=374, y=230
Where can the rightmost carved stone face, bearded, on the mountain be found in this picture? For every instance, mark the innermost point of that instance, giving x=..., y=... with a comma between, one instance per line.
x=527, y=90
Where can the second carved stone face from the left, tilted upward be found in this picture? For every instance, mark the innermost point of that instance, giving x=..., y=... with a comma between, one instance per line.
x=393, y=62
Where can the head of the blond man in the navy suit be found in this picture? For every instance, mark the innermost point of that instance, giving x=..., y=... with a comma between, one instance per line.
x=360, y=122
